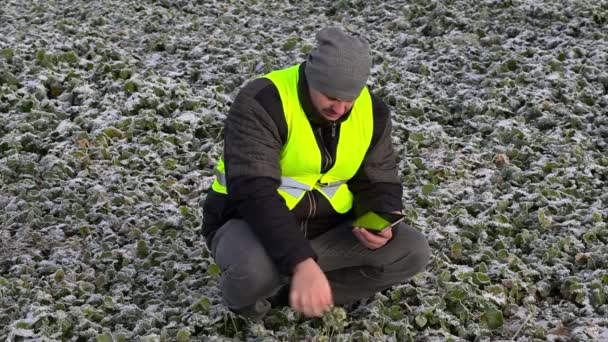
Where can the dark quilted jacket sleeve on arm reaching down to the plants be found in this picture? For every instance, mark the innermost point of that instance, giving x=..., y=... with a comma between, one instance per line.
x=252, y=148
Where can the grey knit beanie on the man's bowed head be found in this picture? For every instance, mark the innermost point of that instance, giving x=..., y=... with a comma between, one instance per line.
x=340, y=64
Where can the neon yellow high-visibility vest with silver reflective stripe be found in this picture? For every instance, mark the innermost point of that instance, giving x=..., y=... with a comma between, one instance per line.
x=301, y=159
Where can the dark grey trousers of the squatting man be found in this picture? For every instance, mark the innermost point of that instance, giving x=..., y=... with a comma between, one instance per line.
x=354, y=272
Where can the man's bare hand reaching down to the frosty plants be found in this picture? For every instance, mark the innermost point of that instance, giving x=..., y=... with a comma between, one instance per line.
x=310, y=292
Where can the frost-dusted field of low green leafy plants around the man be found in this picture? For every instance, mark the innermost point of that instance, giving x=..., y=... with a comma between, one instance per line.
x=111, y=122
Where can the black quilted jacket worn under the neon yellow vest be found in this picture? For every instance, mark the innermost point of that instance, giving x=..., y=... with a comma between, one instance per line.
x=255, y=132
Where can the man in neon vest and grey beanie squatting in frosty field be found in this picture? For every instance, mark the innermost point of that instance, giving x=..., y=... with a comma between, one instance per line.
x=305, y=148
